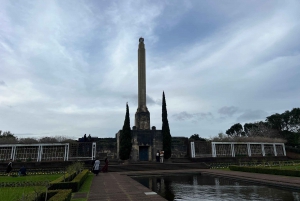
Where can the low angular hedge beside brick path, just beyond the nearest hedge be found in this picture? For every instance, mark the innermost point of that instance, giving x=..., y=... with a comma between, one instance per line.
x=74, y=184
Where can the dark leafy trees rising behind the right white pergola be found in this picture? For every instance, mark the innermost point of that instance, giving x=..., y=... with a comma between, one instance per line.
x=285, y=125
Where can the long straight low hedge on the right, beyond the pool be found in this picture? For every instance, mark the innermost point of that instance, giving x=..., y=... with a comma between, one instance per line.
x=264, y=170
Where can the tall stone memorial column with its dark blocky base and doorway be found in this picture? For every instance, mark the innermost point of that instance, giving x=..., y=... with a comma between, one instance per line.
x=145, y=141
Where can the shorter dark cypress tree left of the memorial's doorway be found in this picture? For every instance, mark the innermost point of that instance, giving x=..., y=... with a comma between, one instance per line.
x=125, y=138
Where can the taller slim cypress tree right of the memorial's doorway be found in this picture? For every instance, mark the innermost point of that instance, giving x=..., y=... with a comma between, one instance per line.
x=167, y=139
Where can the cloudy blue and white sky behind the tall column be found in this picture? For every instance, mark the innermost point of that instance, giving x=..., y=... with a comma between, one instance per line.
x=68, y=67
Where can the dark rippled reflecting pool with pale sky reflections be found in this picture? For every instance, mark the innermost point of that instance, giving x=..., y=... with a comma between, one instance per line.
x=204, y=187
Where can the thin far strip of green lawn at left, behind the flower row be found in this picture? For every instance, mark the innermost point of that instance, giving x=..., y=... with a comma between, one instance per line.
x=49, y=177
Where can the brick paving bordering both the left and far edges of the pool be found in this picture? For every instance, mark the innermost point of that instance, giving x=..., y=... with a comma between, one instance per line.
x=115, y=186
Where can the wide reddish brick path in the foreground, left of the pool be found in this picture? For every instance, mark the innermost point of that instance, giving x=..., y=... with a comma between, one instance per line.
x=113, y=186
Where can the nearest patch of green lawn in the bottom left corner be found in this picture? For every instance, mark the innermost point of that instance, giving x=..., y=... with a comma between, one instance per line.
x=15, y=193
